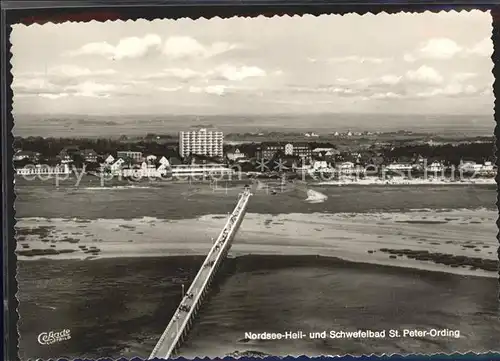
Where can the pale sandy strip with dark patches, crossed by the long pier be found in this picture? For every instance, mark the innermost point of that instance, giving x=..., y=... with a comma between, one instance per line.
x=350, y=236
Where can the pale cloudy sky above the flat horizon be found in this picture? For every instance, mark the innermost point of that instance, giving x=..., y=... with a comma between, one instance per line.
x=401, y=63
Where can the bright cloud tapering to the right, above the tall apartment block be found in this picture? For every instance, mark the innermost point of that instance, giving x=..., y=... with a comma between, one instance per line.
x=184, y=46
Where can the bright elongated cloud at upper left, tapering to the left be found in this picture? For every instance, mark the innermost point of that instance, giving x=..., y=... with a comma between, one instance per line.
x=131, y=47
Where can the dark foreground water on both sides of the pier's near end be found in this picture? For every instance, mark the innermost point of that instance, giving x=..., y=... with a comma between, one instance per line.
x=119, y=307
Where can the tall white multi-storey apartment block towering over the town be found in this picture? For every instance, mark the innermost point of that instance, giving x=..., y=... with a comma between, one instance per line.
x=201, y=142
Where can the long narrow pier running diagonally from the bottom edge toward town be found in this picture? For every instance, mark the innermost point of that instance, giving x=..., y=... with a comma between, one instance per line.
x=182, y=319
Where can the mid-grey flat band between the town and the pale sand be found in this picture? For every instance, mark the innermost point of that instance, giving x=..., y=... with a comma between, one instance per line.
x=165, y=200
